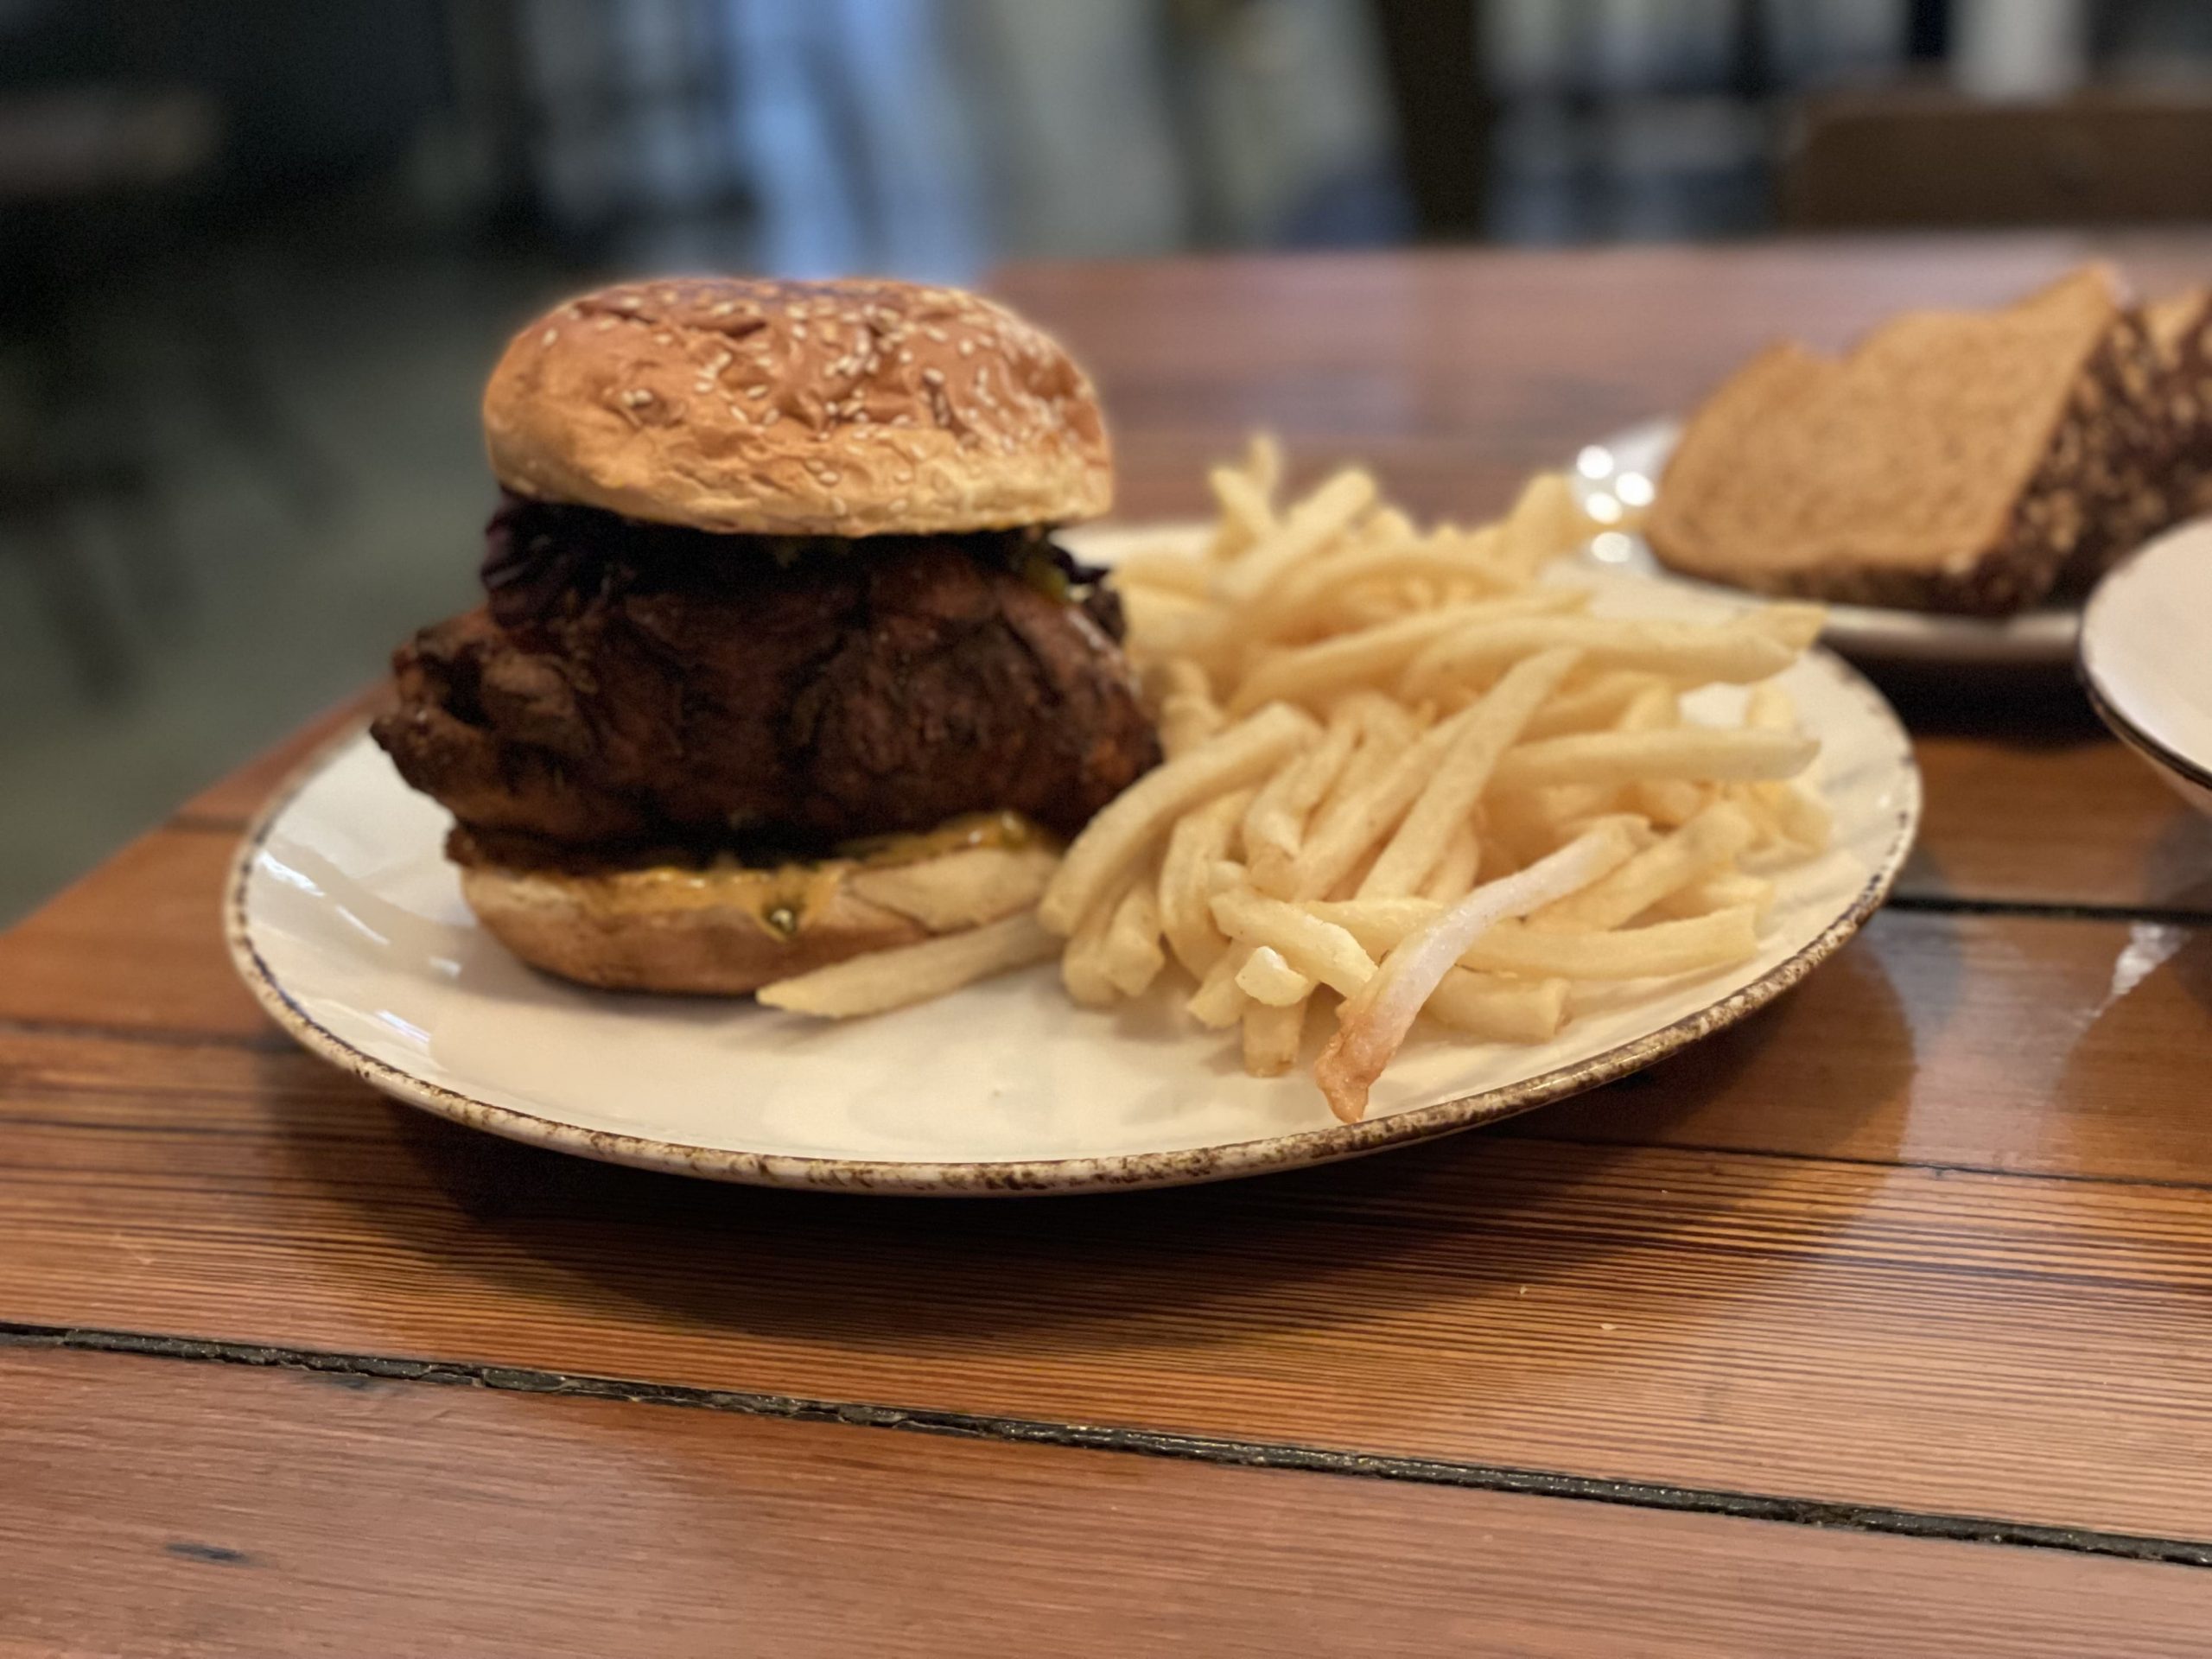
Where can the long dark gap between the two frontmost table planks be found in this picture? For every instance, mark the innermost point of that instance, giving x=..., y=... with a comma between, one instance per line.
x=1189, y=1448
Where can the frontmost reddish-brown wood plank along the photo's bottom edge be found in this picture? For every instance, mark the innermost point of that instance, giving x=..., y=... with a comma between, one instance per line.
x=176, y=1510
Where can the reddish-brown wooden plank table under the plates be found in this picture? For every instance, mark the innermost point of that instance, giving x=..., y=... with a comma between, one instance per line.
x=1875, y=1322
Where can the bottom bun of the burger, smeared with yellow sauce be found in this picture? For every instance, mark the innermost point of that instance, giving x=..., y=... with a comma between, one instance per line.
x=733, y=930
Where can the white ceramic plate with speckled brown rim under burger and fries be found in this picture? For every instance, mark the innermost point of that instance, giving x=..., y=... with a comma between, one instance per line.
x=348, y=926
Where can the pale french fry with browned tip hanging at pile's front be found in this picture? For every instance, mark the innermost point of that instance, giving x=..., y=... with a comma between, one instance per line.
x=1375, y=1023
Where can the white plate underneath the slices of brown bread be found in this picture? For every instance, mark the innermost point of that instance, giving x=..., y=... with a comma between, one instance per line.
x=1625, y=470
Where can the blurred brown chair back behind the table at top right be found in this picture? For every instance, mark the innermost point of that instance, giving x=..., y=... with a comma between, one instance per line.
x=1932, y=158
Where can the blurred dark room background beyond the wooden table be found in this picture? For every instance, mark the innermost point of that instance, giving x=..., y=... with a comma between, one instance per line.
x=258, y=255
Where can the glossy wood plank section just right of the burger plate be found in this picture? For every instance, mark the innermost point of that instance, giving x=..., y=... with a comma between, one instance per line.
x=2001, y=1043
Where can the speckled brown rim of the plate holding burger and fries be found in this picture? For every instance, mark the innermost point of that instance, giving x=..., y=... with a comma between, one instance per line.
x=1134, y=1171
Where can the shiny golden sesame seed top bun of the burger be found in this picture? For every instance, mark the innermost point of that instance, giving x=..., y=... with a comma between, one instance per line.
x=848, y=408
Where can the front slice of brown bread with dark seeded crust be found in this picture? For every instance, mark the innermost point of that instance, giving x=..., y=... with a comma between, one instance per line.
x=1954, y=461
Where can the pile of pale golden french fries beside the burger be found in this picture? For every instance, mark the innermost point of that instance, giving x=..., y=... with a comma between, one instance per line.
x=1408, y=778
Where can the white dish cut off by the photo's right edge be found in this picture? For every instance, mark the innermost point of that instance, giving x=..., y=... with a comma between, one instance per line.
x=2147, y=656
